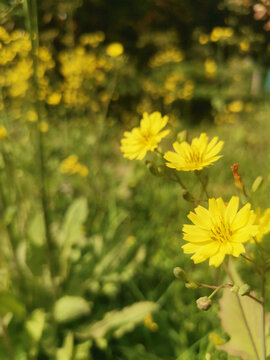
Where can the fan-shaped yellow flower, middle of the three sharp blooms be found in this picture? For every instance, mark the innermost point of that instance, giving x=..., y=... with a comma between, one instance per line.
x=194, y=156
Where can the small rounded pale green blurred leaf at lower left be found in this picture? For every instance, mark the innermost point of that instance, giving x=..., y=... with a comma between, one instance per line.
x=69, y=308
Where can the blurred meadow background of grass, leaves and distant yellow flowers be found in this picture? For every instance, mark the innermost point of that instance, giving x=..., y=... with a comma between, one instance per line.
x=89, y=240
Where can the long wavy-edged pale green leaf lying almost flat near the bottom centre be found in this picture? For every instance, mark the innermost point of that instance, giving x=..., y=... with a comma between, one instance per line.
x=118, y=322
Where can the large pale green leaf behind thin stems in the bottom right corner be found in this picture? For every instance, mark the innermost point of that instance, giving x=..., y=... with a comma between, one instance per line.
x=241, y=318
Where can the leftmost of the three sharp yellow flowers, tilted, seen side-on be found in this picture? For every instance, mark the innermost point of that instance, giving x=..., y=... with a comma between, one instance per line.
x=137, y=142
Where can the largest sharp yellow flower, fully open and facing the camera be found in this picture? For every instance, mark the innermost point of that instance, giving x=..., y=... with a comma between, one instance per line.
x=218, y=231
